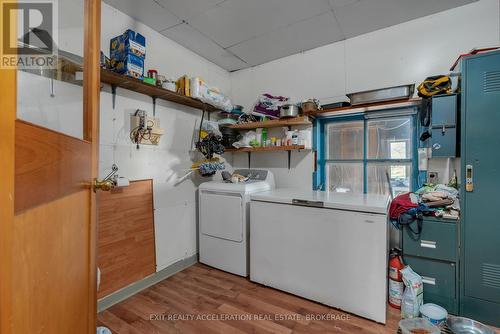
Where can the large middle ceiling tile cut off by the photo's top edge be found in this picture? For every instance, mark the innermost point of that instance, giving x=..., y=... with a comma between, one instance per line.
x=234, y=21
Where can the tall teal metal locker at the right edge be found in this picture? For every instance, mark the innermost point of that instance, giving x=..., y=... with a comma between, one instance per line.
x=480, y=189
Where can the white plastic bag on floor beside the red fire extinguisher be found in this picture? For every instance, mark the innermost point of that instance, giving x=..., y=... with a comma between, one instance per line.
x=413, y=297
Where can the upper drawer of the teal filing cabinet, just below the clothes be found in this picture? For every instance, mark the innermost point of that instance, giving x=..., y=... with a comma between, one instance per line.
x=437, y=241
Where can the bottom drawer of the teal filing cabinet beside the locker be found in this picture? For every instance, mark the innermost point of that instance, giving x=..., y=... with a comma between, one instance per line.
x=439, y=279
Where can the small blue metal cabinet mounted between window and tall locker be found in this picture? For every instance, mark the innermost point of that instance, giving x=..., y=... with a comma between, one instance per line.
x=445, y=119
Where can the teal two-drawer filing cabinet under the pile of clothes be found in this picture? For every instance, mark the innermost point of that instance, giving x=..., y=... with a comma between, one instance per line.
x=434, y=255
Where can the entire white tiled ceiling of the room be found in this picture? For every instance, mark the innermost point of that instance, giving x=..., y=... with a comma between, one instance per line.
x=236, y=34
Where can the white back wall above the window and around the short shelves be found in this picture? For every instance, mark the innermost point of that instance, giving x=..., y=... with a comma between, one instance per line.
x=402, y=54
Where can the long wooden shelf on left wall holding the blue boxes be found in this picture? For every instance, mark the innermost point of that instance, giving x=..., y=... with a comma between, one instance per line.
x=136, y=85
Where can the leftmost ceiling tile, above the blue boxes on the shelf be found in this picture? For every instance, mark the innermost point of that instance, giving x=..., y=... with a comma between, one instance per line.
x=146, y=11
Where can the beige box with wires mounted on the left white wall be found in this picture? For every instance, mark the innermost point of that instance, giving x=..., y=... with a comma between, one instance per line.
x=145, y=130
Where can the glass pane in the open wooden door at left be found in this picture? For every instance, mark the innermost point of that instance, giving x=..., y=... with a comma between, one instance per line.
x=53, y=98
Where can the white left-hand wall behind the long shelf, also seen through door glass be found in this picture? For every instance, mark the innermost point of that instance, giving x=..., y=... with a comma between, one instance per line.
x=174, y=201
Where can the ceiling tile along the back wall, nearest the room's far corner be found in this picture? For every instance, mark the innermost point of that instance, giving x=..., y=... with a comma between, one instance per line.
x=304, y=35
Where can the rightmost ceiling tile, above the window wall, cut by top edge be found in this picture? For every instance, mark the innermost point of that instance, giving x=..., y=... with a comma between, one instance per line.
x=369, y=15
